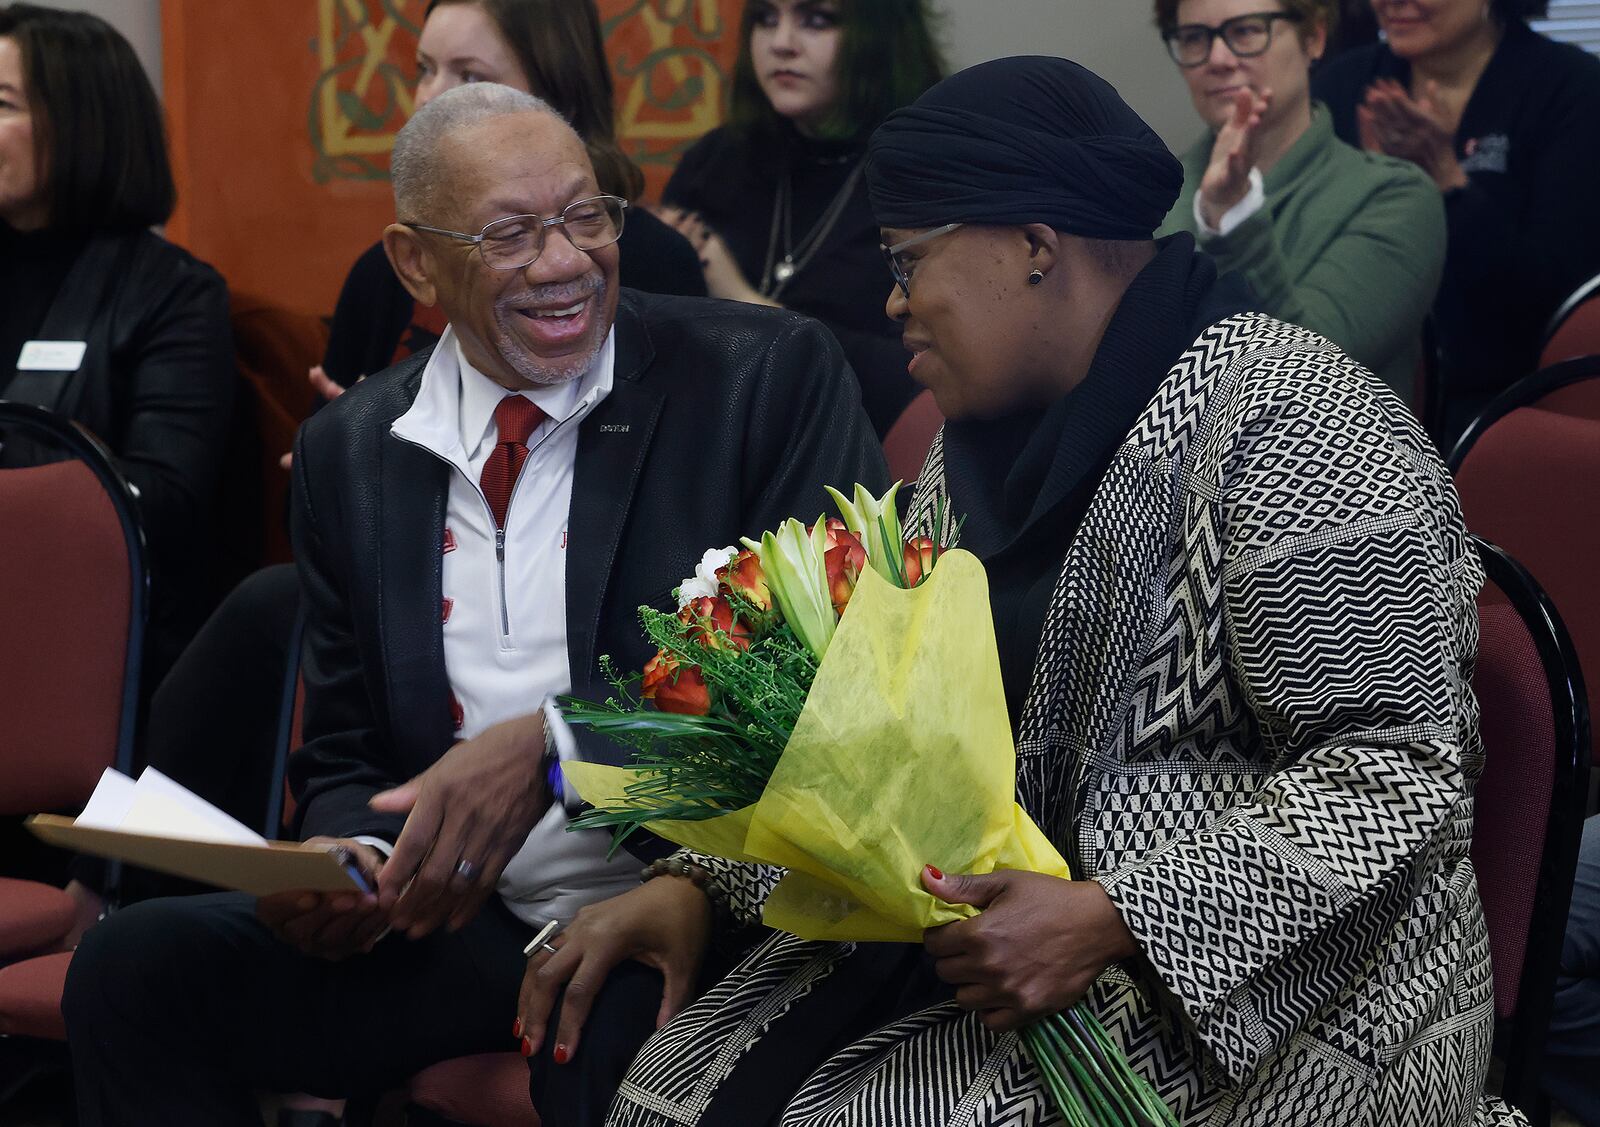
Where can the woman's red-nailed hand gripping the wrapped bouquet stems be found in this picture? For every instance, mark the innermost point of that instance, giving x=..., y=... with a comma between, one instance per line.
x=1034, y=950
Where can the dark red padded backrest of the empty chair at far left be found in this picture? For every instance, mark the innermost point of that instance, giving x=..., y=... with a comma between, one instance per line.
x=74, y=601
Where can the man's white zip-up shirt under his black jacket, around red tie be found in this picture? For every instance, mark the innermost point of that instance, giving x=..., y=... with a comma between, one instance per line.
x=505, y=601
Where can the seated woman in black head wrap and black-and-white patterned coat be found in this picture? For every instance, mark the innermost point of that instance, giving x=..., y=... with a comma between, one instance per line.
x=1234, y=606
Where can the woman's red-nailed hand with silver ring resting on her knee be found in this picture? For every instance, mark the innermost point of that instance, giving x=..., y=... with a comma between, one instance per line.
x=663, y=924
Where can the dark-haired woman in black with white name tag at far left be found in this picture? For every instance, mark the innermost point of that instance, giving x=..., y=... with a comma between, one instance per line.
x=140, y=348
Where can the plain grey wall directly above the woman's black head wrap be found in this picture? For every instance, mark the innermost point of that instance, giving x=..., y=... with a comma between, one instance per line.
x=1116, y=39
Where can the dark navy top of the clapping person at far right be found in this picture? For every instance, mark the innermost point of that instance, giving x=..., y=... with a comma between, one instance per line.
x=1524, y=233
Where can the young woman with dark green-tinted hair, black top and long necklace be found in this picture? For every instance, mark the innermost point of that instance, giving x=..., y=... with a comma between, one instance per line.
x=775, y=199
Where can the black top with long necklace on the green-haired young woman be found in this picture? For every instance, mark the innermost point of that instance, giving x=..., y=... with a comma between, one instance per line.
x=734, y=186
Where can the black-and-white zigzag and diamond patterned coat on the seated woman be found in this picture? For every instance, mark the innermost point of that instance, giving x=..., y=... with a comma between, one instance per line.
x=1252, y=723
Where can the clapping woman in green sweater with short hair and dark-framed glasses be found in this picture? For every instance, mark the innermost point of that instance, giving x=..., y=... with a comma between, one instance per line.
x=1345, y=243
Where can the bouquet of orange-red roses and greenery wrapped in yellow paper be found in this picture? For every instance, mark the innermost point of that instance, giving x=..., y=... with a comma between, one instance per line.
x=830, y=700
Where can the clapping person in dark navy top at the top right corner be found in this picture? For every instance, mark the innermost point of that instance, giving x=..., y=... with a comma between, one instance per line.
x=1508, y=126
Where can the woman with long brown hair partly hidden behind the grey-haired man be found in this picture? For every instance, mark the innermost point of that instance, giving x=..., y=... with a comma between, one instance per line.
x=551, y=49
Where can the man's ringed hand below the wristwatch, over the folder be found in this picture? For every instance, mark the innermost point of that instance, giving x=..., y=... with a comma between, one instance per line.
x=470, y=814
